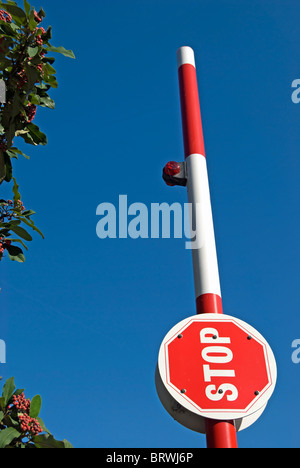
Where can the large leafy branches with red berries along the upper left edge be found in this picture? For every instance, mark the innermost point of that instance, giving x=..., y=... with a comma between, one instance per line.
x=26, y=68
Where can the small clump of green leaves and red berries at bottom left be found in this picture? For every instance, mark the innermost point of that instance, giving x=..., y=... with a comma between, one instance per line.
x=20, y=424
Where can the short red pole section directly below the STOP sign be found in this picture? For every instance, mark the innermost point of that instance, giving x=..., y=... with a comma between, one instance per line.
x=220, y=434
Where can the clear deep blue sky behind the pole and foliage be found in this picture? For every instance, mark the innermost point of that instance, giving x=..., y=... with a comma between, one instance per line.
x=83, y=318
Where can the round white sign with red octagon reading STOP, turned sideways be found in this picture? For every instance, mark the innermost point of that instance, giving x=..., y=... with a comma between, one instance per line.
x=218, y=367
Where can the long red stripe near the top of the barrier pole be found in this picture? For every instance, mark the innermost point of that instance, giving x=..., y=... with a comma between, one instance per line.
x=190, y=111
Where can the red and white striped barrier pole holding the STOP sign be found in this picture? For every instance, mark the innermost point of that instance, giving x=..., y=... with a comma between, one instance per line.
x=219, y=434
